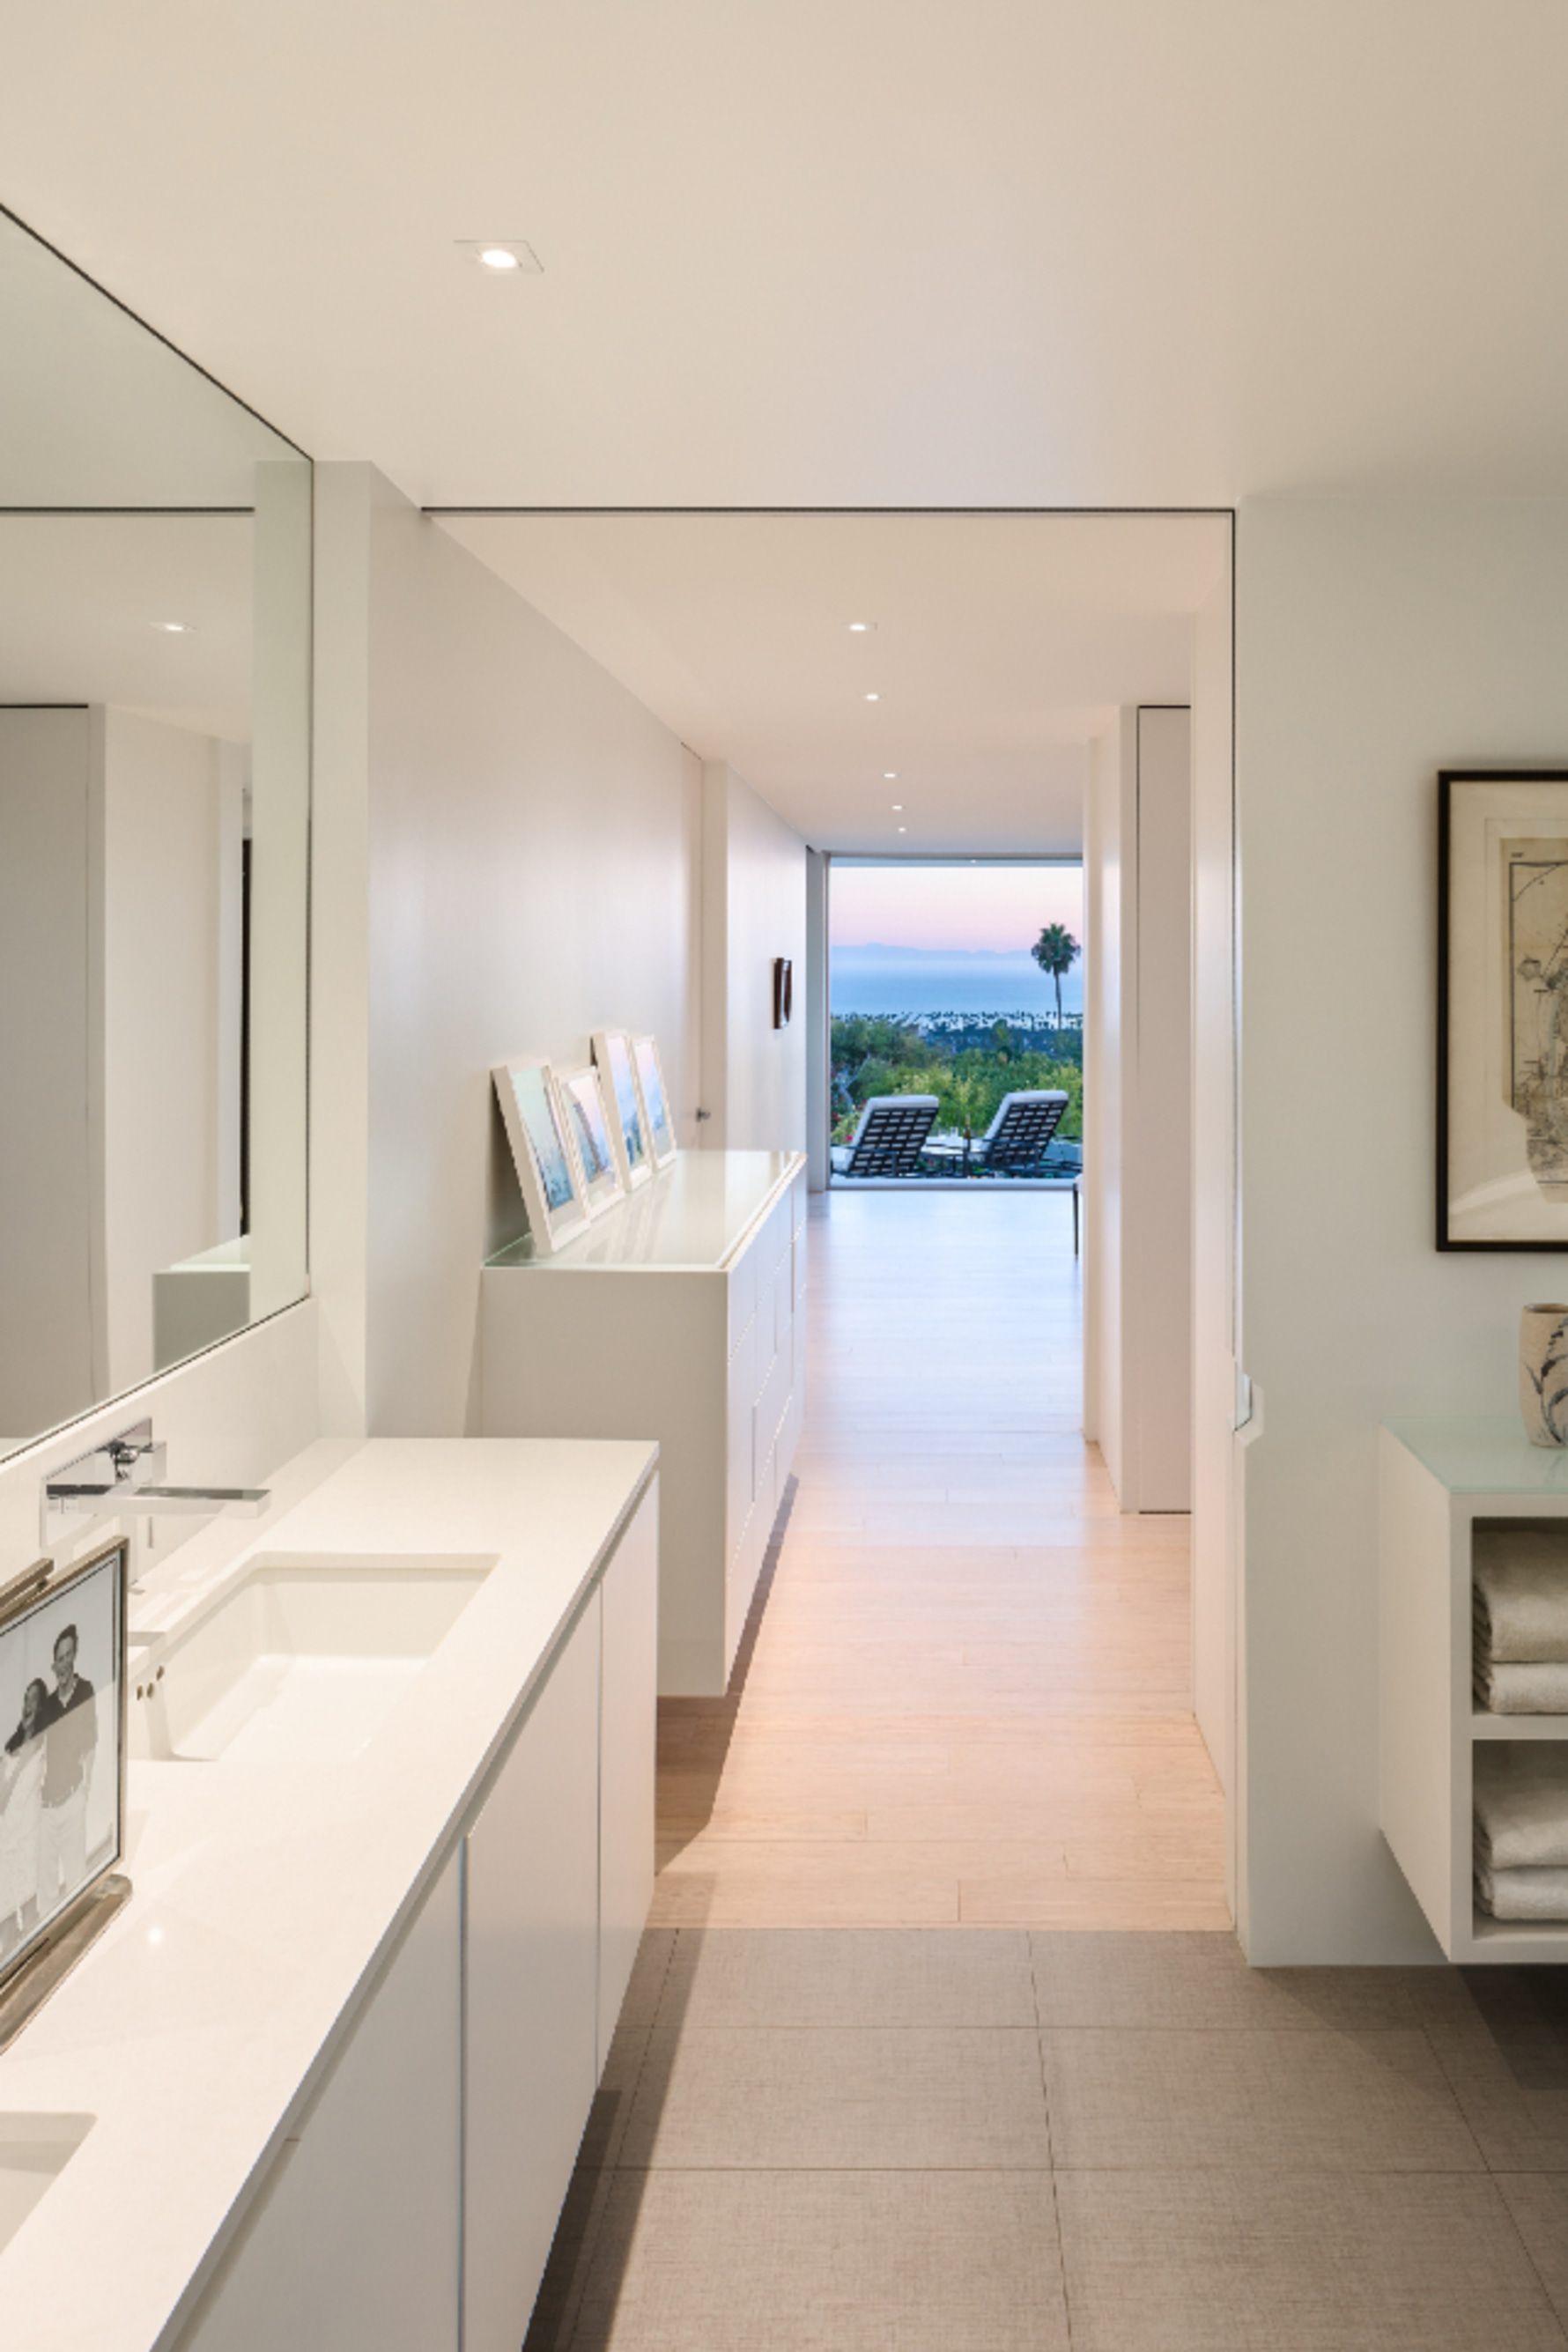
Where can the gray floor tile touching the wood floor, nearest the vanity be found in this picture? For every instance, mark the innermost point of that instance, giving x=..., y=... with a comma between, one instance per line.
x=847, y=1979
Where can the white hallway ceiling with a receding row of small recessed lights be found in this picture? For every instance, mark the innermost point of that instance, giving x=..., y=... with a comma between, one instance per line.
x=998, y=648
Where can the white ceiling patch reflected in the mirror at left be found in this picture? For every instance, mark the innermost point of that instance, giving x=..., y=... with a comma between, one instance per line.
x=81, y=599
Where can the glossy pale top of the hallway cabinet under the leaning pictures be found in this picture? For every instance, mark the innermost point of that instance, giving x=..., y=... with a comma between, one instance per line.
x=692, y=1215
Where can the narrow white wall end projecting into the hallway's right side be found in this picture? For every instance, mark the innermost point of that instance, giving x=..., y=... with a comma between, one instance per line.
x=1137, y=1090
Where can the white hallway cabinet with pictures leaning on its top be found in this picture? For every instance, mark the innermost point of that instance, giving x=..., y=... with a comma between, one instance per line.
x=678, y=1316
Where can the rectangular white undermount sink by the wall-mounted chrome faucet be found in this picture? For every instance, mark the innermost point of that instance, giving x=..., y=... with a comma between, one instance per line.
x=300, y=1664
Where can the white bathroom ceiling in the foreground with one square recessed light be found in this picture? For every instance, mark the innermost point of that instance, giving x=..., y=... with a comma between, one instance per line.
x=840, y=250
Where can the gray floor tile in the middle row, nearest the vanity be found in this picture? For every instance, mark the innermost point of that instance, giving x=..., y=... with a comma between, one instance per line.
x=819, y=2099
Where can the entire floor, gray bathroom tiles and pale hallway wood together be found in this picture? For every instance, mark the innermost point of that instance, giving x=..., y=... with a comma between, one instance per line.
x=899, y=2071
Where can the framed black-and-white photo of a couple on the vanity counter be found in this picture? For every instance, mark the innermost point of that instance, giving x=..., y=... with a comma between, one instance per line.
x=62, y=1749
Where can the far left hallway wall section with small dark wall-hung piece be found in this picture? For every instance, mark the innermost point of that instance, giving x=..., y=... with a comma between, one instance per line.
x=753, y=909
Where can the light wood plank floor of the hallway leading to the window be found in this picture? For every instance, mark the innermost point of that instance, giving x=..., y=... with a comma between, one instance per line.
x=965, y=1695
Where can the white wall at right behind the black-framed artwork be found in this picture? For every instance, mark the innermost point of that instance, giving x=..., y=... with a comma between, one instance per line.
x=1376, y=646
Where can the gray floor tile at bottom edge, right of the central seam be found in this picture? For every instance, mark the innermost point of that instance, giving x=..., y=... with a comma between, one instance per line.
x=1240, y=2261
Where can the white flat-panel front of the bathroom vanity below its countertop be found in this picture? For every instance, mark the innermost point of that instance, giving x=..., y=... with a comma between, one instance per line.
x=415, y=2205
